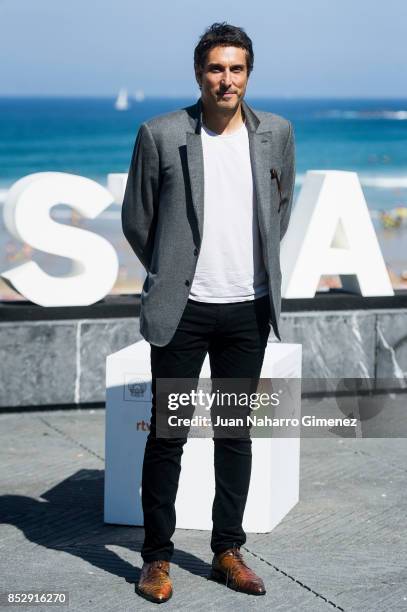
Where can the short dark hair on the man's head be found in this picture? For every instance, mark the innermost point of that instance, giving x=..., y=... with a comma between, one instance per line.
x=223, y=35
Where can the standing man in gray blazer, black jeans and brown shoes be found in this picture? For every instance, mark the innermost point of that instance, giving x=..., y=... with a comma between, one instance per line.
x=207, y=201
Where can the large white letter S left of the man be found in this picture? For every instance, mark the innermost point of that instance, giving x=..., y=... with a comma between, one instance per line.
x=27, y=217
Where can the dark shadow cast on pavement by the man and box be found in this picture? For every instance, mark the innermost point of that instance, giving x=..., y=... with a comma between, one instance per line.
x=70, y=519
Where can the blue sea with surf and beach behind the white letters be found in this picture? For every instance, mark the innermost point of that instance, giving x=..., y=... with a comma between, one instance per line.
x=89, y=137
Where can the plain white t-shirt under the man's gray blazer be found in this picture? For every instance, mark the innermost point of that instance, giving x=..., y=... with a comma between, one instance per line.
x=230, y=265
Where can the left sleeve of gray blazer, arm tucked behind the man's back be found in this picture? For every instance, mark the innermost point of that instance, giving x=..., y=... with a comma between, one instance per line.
x=140, y=203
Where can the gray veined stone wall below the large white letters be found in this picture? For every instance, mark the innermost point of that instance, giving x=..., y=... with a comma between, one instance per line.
x=62, y=361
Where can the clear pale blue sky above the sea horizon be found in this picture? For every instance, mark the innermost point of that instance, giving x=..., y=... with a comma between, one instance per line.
x=328, y=48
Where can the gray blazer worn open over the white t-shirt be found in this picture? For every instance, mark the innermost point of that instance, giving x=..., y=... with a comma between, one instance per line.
x=163, y=208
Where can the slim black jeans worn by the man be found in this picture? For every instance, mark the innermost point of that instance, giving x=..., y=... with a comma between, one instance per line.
x=235, y=336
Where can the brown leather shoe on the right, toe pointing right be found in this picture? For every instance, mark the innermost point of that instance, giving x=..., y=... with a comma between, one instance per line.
x=229, y=568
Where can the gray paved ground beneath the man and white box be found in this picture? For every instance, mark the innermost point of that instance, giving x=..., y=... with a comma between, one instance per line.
x=343, y=547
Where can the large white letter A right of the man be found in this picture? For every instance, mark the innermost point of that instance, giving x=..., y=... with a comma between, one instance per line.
x=331, y=232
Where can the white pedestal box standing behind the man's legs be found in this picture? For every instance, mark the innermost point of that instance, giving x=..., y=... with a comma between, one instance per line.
x=274, y=485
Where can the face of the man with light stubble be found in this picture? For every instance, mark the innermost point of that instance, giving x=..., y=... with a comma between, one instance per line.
x=223, y=79
